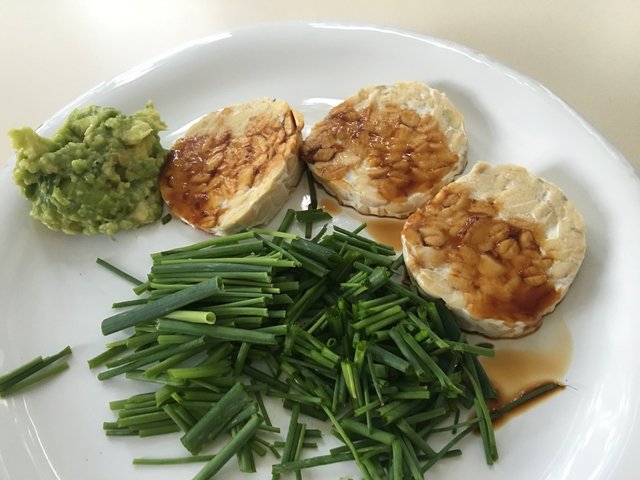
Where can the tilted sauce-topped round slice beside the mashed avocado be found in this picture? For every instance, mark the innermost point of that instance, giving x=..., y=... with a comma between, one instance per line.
x=235, y=168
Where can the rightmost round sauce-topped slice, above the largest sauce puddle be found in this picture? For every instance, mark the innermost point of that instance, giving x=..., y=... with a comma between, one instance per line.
x=499, y=245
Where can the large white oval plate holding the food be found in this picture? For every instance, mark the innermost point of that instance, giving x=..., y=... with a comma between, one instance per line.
x=53, y=294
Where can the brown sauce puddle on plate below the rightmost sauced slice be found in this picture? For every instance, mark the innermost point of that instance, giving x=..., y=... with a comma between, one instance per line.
x=522, y=365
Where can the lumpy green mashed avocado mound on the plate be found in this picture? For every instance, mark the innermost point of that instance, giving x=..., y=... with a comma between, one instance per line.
x=97, y=175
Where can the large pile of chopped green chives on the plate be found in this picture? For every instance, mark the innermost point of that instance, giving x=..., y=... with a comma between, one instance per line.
x=321, y=323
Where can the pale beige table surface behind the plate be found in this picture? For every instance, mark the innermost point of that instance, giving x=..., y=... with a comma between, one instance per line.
x=583, y=51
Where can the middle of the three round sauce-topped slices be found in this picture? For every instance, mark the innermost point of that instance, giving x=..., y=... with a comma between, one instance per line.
x=388, y=149
